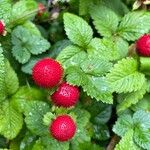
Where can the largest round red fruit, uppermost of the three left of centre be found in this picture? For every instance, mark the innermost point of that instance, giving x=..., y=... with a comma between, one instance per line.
x=47, y=73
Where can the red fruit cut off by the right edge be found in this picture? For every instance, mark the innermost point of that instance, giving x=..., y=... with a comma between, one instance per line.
x=143, y=45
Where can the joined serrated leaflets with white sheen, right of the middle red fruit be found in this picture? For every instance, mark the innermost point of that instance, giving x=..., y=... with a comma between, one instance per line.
x=96, y=87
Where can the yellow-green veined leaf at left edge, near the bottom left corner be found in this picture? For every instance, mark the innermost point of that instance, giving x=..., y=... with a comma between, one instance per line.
x=11, y=120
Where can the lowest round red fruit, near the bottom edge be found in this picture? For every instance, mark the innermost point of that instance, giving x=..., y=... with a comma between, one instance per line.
x=63, y=128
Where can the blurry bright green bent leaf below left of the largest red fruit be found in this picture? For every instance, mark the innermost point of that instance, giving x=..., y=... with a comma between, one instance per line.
x=26, y=94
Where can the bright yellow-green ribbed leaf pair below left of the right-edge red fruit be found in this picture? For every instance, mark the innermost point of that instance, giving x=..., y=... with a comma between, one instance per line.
x=124, y=76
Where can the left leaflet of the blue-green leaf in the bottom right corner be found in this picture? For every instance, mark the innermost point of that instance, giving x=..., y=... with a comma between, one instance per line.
x=123, y=124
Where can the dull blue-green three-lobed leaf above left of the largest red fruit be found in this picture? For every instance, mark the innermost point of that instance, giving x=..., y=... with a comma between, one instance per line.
x=25, y=43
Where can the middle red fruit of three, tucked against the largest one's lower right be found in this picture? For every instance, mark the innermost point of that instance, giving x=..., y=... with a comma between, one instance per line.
x=66, y=95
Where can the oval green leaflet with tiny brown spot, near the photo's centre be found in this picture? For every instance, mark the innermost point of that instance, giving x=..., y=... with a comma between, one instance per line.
x=96, y=66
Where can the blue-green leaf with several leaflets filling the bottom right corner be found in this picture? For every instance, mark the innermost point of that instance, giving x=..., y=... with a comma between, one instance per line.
x=139, y=124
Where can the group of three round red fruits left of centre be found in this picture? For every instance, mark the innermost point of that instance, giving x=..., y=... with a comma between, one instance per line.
x=47, y=73
